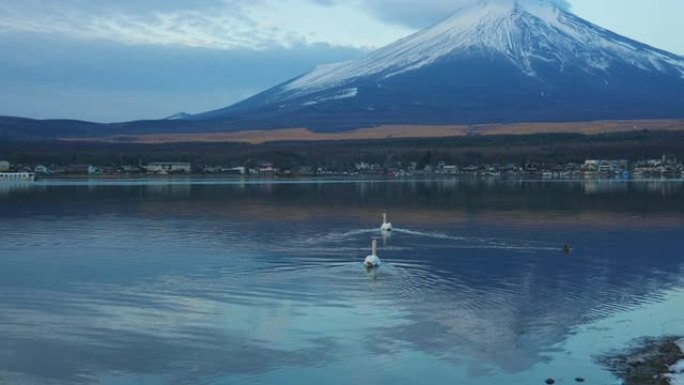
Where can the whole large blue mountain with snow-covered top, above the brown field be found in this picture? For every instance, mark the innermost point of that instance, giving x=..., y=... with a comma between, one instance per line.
x=498, y=61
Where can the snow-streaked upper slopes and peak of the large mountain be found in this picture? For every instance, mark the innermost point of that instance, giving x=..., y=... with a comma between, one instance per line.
x=524, y=31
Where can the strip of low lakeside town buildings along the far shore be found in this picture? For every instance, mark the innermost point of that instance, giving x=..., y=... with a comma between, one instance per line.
x=663, y=167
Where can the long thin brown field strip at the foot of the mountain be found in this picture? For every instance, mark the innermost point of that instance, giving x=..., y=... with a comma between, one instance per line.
x=396, y=132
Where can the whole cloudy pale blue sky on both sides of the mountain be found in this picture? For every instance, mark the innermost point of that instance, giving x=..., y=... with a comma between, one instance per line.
x=120, y=60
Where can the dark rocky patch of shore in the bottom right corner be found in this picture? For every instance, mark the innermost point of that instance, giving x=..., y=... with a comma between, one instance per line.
x=653, y=361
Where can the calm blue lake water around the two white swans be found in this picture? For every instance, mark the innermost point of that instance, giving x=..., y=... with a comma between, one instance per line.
x=203, y=282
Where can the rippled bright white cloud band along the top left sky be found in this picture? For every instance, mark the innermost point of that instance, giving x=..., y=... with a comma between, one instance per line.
x=209, y=24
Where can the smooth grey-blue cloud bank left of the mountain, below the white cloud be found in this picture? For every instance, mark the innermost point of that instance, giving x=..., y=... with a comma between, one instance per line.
x=48, y=77
